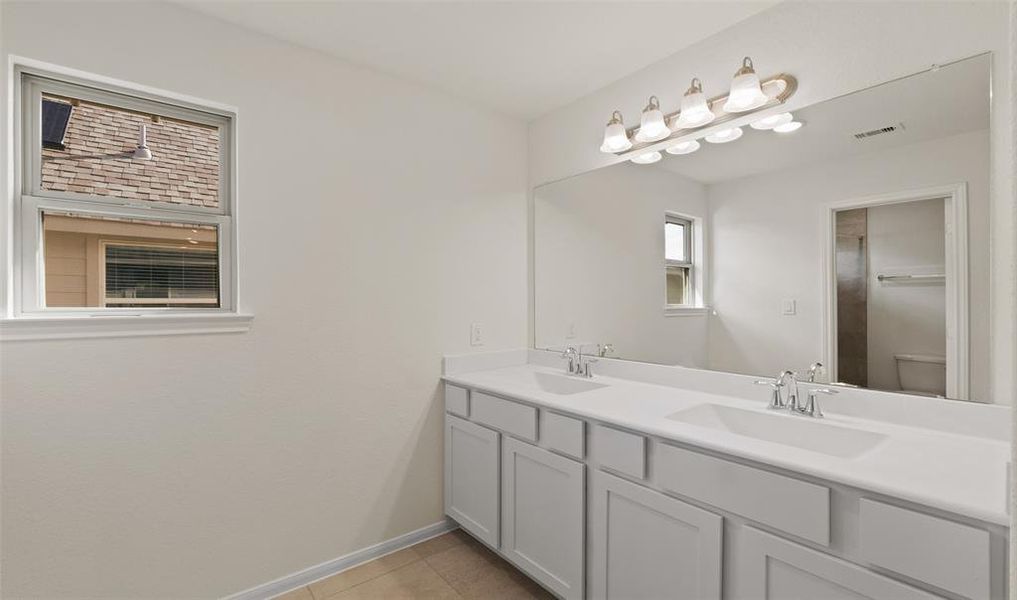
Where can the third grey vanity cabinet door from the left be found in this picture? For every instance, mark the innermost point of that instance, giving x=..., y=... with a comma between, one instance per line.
x=647, y=546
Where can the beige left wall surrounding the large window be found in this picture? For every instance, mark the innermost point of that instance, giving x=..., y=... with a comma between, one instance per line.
x=198, y=466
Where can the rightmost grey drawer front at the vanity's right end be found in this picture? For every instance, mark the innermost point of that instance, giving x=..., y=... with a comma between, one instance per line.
x=941, y=553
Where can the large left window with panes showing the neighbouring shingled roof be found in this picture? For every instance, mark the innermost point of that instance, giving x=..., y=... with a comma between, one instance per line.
x=125, y=203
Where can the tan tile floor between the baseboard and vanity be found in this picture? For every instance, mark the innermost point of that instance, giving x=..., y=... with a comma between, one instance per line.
x=453, y=566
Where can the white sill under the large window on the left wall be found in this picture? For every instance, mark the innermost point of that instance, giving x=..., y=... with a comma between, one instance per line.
x=73, y=328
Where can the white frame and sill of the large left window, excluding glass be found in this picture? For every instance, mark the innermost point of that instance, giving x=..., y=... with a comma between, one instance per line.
x=25, y=314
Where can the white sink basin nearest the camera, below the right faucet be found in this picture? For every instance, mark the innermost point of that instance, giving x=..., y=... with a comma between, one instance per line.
x=783, y=429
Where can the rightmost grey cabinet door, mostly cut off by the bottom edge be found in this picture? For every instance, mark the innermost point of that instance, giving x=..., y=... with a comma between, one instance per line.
x=773, y=569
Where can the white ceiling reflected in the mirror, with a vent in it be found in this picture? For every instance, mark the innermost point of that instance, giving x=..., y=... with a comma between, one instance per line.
x=932, y=105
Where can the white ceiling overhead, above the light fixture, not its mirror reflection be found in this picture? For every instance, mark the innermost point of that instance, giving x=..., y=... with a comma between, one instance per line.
x=521, y=58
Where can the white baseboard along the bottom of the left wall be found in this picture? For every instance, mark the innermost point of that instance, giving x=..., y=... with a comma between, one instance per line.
x=331, y=568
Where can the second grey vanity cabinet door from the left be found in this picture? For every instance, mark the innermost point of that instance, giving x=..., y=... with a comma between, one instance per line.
x=543, y=516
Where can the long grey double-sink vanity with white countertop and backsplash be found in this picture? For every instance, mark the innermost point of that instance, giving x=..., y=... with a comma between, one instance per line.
x=650, y=482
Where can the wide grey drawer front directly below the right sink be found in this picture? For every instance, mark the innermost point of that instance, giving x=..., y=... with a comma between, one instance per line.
x=789, y=505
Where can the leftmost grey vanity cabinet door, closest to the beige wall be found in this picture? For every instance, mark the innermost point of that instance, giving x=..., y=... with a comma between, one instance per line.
x=471, y=491
